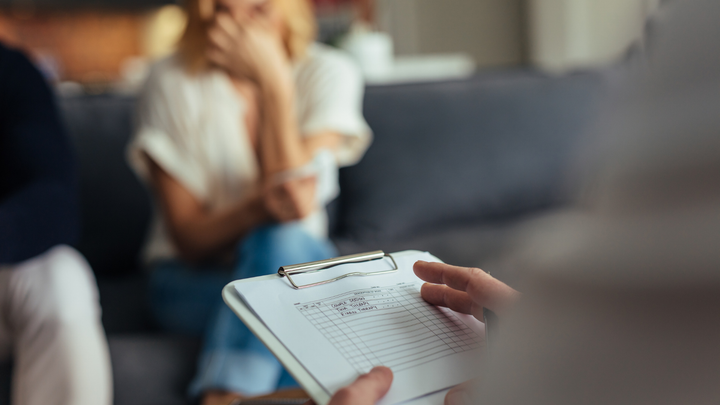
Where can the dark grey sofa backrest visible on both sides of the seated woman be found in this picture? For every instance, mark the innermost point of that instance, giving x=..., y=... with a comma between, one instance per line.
x=471, y=151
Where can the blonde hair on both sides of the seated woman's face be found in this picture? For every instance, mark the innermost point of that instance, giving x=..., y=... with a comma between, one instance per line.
x=297, y=16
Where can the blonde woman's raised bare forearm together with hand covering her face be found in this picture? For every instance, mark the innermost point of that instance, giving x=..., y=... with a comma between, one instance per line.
x=249, y=46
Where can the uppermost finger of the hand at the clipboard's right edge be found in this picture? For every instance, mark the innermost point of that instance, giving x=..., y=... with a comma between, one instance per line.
x=483, y=289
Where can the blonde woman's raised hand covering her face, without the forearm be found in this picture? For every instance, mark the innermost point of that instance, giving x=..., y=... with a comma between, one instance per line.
x=249, y=47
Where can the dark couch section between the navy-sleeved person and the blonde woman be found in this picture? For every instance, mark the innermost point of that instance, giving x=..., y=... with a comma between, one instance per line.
x=115, y=206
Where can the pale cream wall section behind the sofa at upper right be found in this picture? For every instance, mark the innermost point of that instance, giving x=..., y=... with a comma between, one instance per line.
x=569, y=34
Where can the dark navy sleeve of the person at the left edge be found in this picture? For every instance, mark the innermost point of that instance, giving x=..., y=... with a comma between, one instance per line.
x=38, y=201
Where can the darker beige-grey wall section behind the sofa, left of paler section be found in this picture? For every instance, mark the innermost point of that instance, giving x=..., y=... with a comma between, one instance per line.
x=491, y=31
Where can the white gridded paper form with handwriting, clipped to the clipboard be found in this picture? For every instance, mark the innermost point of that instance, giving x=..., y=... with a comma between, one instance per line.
x=340, y=330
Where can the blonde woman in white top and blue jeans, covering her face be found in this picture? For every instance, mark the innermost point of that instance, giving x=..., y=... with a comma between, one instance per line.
x=240, y=135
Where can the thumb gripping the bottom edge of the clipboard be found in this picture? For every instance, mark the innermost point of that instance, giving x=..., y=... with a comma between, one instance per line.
x=366, y=390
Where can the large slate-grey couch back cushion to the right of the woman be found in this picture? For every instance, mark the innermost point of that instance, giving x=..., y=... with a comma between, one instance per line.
x=471, y=151
